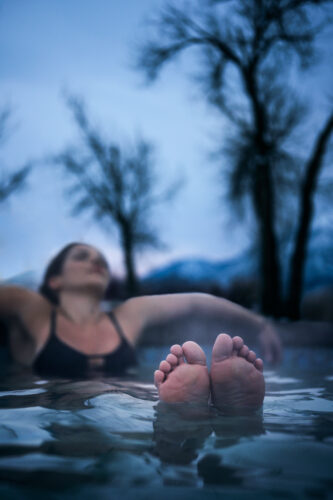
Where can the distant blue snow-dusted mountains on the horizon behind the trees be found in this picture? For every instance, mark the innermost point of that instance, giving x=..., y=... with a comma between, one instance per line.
x=210, y=276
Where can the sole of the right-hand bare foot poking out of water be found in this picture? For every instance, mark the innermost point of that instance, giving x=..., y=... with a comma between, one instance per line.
x=237, y=382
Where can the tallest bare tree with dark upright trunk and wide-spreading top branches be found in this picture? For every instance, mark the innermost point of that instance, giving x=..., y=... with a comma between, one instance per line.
x=245, y=49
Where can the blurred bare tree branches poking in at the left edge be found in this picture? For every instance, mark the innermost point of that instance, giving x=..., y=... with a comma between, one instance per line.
x=10, y=181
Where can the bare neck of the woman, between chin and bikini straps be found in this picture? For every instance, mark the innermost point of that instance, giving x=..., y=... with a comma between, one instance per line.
x=80, y=308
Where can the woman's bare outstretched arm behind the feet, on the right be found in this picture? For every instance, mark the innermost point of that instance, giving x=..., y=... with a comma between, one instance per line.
x=204, y=310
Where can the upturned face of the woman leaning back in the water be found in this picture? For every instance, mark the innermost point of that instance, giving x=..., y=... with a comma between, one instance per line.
x=84, y=268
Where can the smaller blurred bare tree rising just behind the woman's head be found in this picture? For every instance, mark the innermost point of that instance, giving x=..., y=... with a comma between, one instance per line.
x=119, y=186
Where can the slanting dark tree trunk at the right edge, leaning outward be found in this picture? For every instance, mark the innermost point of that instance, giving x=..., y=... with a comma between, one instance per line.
x=298, y=257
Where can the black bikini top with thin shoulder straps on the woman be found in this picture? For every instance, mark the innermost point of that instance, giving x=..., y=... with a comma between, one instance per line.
x=59, y=359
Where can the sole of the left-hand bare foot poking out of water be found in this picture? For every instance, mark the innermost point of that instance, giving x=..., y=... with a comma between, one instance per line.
x=183, y=376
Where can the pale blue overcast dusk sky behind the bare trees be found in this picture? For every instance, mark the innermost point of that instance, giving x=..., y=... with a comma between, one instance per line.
x=85, y=47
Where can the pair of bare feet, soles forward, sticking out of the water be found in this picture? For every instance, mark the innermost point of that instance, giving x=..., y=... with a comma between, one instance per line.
x=235, y=381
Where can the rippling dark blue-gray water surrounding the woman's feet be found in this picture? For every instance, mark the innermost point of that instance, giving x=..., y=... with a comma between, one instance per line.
x=110, y=438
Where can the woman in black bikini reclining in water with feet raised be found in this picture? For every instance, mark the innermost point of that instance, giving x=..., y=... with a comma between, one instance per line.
x=63, y=331
